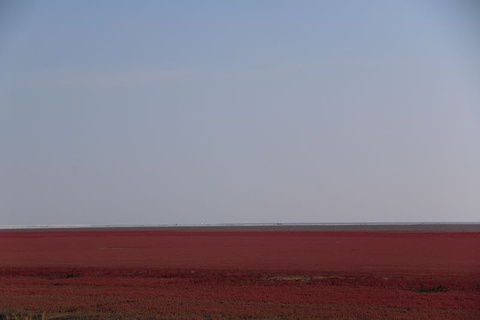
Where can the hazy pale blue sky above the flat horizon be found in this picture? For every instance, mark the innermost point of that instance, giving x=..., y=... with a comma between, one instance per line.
x=191, y=112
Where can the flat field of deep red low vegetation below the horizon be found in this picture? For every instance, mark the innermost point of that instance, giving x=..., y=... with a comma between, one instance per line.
x=125, y=274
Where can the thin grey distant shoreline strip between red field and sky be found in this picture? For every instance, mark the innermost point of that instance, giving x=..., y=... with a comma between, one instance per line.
x=413, y=227
